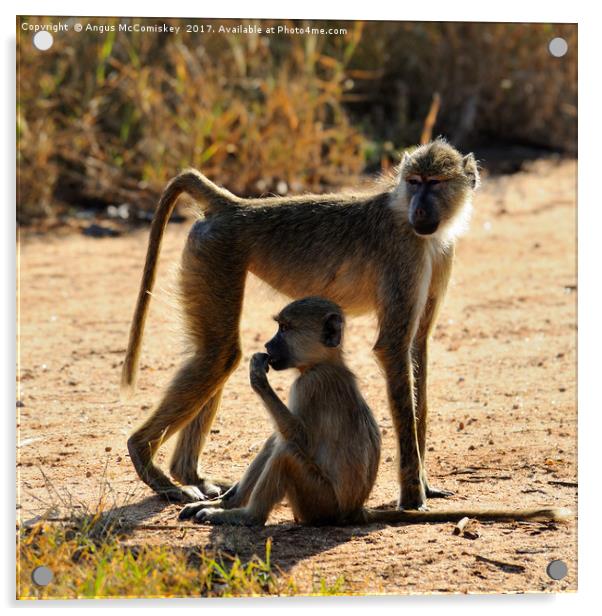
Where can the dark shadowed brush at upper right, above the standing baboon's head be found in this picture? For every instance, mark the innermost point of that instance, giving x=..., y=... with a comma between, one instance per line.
x=498, y=82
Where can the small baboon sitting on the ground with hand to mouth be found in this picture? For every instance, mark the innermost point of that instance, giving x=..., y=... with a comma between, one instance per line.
x=325, y=450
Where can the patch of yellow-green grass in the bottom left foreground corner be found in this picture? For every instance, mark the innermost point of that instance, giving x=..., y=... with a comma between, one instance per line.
x=90, y=560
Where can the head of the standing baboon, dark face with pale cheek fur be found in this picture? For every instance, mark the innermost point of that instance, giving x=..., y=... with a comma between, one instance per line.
x=439, y=182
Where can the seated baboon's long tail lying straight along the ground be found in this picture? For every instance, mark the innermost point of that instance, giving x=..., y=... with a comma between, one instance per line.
x=492, y=515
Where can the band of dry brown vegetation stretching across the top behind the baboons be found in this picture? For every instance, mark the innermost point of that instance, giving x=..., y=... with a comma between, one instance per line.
x=109, y=118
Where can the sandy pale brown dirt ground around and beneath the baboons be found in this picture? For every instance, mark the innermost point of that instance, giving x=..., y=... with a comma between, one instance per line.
x=502, y=401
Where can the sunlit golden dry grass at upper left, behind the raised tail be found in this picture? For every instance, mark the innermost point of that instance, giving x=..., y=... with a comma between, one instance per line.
x=112, y=118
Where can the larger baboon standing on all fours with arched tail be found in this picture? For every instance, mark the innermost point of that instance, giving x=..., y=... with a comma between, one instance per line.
x=388, y=250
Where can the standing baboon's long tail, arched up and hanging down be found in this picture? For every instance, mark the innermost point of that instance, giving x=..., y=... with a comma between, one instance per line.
x=209, y=197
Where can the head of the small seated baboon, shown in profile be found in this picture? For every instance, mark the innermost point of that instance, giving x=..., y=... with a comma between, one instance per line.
x=309, y=332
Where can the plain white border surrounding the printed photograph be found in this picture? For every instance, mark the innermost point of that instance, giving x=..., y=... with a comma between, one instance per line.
x=590, y=399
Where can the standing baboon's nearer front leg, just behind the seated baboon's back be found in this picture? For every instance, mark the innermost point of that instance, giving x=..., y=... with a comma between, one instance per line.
x=393, y=349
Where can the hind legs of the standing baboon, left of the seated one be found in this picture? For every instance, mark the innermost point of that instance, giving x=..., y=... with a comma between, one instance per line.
x=212, y=306
